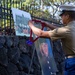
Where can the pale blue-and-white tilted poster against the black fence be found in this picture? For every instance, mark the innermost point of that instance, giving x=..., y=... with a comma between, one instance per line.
x=21, y=19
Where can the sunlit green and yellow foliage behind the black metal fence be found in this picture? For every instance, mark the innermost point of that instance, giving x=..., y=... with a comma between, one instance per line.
x=39, y=8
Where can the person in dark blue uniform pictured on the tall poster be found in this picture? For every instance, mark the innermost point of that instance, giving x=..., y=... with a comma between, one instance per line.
x=47, y=63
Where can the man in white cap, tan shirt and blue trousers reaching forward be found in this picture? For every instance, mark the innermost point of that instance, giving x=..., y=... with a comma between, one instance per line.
x=65, y=33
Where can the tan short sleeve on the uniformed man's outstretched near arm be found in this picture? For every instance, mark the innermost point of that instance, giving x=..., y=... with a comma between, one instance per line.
x=59, y=33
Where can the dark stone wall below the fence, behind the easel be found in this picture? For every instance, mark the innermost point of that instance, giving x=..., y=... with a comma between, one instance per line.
x=18, y=58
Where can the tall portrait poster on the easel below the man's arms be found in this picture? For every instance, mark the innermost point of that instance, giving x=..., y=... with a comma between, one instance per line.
x=45, y=55
